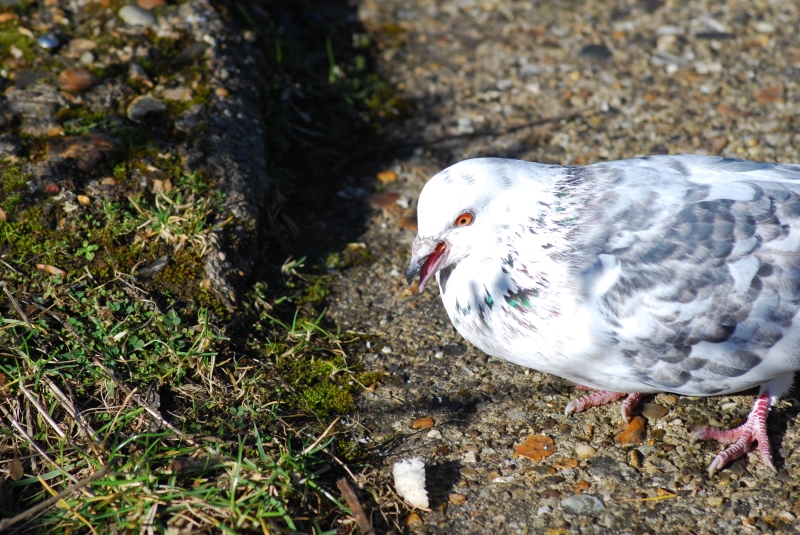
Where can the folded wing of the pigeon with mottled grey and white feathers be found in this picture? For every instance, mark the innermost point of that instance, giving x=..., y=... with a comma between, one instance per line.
x=708, y=248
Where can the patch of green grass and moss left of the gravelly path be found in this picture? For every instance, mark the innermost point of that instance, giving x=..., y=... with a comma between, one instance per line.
x=198, y=419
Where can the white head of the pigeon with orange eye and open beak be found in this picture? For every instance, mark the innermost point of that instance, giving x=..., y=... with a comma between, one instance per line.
x=455, y=215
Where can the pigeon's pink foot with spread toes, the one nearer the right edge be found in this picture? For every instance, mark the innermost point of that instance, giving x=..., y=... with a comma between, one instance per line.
x=742, y=437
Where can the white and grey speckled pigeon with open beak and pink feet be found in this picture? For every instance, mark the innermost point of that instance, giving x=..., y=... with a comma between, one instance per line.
x=675, y=274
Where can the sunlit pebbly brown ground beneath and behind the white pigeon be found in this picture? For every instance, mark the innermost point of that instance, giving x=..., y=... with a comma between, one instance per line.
x=650, y=78
